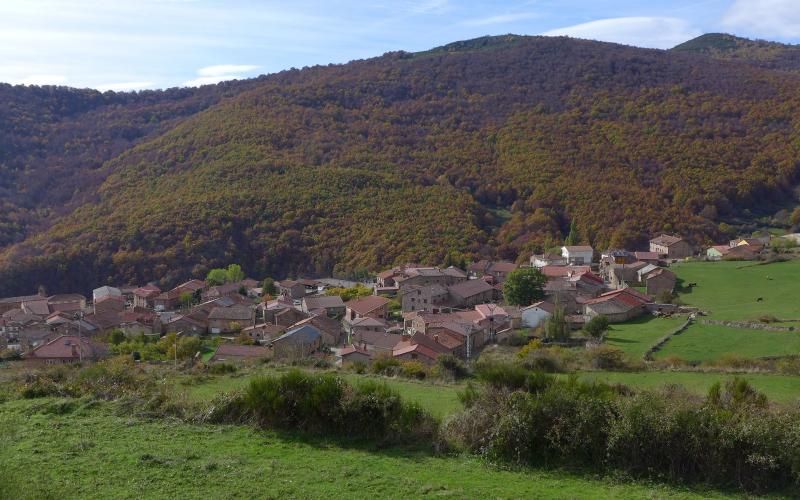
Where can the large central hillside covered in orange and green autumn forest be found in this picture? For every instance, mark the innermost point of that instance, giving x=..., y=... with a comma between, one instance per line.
x=406, y=156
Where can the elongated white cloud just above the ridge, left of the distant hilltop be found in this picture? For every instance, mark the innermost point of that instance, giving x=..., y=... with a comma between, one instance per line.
x=653, y=32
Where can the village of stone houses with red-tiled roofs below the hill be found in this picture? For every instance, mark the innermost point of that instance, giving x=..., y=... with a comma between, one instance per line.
x=410, y=312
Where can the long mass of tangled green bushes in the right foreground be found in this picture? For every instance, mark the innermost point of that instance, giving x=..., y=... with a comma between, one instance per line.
x=732, y=438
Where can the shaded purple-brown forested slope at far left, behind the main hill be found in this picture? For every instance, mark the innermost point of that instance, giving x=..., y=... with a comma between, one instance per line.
x=54, y=141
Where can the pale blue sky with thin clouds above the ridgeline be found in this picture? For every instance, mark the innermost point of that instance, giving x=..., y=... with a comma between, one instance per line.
x=139, y=44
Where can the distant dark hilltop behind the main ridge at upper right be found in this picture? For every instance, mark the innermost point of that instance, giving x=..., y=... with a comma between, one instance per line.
x=762, y=53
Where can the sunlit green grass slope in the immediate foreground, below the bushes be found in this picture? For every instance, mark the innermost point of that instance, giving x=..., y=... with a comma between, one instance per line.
x=90, y=451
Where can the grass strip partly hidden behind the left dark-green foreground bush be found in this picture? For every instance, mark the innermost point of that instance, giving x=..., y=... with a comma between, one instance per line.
x=439, y=399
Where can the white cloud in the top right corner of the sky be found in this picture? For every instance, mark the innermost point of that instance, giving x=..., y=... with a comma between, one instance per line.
x=764, y=18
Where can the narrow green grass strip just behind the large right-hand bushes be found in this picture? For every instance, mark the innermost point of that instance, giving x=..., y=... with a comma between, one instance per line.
x=783, y=389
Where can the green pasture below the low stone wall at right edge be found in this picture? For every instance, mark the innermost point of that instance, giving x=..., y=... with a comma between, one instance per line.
x=708, y=342
